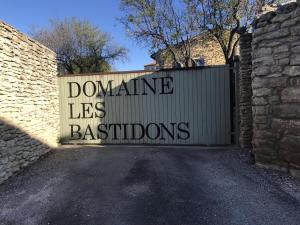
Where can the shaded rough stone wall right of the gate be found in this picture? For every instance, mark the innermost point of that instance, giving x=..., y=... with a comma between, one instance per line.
x=276, y=88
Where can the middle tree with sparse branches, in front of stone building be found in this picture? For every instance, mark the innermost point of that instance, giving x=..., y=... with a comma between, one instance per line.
x=161, y=25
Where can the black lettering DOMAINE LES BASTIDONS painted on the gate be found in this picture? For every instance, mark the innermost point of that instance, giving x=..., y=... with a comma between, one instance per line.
x=121, y=131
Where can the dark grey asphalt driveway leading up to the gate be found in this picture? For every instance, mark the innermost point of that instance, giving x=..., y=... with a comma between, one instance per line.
x=117, y=185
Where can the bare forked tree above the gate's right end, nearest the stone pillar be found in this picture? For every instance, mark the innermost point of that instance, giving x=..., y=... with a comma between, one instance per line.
x=225, y=20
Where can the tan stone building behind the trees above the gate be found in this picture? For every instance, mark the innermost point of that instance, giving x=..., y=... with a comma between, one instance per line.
x=205, y=51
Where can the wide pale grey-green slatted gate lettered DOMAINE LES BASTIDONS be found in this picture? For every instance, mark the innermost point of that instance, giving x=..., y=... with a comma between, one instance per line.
x=186, y=106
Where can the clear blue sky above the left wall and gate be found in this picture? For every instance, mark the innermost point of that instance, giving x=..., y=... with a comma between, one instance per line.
x=23, y=15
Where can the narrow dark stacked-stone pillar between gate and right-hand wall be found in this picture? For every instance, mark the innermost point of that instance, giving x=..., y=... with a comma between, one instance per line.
x=245, y=95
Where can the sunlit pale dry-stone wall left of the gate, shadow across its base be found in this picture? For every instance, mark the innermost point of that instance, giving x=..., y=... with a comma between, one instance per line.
x=29, y=112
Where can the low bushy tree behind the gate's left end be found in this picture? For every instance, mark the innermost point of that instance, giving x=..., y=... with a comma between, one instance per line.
x=80, y=46
